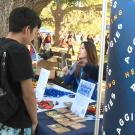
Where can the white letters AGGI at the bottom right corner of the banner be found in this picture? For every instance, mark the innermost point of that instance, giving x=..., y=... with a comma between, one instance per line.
x=122, y=121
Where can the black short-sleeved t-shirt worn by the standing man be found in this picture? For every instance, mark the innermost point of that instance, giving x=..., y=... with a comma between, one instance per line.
x=19, y=67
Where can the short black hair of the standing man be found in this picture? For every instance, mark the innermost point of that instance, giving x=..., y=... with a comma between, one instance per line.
x=22, y=17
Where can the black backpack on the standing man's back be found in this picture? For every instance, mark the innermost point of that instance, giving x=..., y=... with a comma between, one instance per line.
x=8, y=101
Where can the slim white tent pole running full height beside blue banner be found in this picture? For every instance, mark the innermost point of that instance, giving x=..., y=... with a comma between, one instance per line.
x=101, y=65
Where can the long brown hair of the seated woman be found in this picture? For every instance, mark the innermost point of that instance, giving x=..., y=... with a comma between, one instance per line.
x=91, y=55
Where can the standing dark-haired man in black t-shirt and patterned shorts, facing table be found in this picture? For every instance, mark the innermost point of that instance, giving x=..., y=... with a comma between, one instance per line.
x=23, y=26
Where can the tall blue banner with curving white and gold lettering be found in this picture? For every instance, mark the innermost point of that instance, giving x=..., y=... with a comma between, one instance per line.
x=119, y=114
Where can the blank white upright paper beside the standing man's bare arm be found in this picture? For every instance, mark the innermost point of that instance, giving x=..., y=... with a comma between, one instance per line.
x=41, y=84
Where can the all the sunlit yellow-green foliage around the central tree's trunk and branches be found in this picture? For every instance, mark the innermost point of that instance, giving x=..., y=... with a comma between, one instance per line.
x=85, y=21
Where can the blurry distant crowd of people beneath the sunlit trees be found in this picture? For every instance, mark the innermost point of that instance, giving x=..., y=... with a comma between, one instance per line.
x=68, y=40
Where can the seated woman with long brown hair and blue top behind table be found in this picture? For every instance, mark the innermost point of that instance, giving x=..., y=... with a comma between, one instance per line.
x=85, y=68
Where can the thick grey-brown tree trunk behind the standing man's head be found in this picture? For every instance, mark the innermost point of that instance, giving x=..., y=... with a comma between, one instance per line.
x=6, y=6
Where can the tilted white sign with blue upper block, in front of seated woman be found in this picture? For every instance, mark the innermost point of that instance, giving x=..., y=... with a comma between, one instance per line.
x=82, y=98
